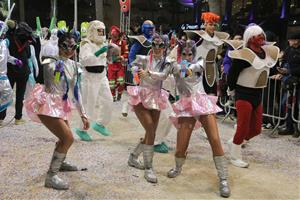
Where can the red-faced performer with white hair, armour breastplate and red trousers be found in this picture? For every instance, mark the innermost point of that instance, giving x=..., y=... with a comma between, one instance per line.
x=247, y=77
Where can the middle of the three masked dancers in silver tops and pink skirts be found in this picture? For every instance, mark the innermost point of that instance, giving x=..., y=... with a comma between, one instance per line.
x=147, y=100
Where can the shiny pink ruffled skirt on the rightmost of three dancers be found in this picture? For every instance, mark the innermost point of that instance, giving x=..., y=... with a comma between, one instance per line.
x=194, y=106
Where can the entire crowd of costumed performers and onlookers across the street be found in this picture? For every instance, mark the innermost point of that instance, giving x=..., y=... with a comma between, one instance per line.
x=172, y=81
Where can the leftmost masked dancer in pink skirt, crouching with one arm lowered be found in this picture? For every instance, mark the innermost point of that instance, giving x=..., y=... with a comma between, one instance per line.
x=51, y=105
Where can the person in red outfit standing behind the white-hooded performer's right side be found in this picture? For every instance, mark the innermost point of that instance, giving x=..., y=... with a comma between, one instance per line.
x=116, y=66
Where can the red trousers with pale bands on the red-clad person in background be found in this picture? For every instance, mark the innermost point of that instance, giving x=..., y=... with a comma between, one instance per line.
x=116, y=77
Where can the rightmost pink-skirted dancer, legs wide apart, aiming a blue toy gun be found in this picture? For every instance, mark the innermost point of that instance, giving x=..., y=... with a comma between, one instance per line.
x=195, y=108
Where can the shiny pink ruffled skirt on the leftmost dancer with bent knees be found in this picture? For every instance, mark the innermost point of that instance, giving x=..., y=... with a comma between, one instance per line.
x=39, y=102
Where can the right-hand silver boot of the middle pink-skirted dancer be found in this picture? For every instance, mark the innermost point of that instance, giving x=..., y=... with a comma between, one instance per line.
x=148, y=158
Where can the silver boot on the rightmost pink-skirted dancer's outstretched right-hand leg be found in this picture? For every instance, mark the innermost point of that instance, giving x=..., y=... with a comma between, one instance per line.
x=221, y=166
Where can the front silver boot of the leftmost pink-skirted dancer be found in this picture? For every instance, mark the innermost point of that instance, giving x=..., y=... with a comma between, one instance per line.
x=52, y=180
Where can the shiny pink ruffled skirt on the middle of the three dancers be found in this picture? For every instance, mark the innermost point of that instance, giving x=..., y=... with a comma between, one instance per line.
x=151, y=99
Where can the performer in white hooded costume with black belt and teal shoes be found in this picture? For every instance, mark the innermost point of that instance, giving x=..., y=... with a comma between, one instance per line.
x=97, y=97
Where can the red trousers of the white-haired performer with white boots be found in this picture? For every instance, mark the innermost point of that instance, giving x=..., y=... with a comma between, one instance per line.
x=249, y=121
